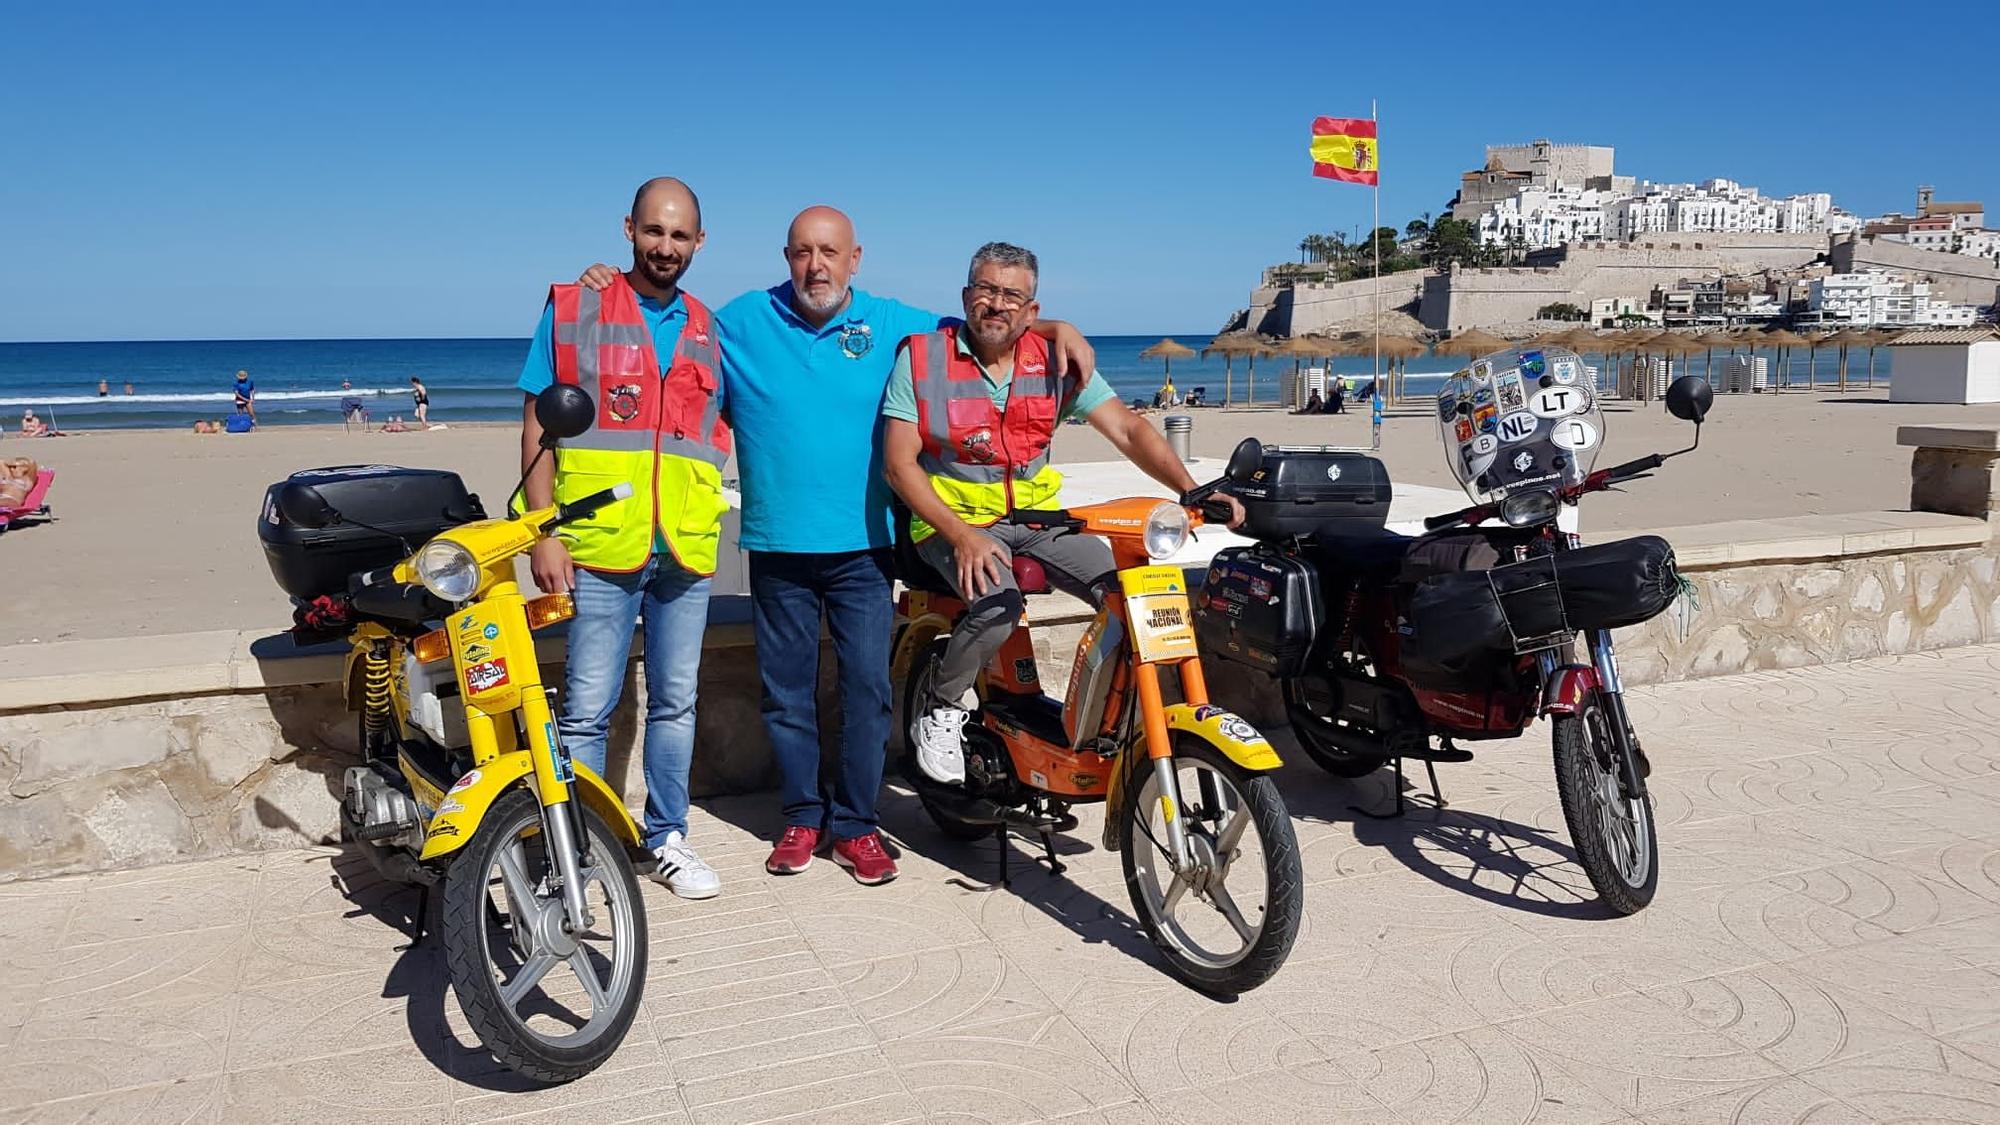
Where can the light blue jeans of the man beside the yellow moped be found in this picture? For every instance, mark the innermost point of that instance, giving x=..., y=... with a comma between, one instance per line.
x=673, y=606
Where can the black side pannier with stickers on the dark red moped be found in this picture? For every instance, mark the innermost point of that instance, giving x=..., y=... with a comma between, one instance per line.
x=1259, y=608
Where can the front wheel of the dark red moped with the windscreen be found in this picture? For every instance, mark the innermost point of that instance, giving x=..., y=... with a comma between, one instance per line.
x=1613, y=834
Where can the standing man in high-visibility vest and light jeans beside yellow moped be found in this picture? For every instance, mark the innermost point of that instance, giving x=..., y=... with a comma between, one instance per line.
x=651, y=361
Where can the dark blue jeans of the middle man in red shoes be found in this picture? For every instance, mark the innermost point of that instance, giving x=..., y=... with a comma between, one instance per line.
x=787, y=598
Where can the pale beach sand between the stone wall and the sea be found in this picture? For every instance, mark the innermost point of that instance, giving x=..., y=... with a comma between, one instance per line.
x=157, y=527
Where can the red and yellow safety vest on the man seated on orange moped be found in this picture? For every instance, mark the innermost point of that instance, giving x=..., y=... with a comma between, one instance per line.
x=985, y=461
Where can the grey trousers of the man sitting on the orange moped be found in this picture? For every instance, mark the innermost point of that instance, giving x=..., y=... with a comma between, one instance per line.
x=1077, y=564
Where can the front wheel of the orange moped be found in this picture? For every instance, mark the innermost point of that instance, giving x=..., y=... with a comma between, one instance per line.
x=1149, y=878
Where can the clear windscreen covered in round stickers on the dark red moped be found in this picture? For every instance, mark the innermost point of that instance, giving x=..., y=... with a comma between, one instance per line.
x=1521, y=419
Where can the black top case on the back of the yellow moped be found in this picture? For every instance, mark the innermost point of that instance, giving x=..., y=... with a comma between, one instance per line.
x=403, y=507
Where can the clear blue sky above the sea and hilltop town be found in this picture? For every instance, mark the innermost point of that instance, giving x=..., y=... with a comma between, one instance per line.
x=427, y=169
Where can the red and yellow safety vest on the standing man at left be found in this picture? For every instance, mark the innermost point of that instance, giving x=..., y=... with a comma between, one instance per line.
x=659, y=431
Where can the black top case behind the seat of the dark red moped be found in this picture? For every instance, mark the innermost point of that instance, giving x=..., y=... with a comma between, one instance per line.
x=1305, y=491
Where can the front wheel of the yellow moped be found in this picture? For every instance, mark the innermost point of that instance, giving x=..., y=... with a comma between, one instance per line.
x=547, y=1004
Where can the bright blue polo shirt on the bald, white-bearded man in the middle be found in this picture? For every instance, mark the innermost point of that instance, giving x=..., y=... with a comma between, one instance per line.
x=807, y=407
